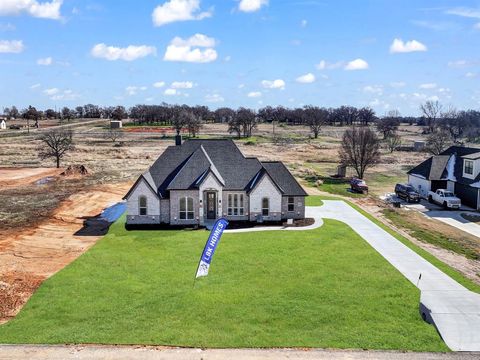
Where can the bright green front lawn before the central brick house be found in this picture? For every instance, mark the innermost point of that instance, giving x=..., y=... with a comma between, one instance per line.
x=321, y=288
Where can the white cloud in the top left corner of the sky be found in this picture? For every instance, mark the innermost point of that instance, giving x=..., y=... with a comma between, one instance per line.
x=46, y=10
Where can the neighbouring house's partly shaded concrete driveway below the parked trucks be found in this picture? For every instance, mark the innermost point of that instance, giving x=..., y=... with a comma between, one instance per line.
x=449, y=217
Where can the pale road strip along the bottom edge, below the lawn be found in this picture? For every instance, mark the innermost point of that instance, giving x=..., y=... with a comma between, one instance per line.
x=92, y=352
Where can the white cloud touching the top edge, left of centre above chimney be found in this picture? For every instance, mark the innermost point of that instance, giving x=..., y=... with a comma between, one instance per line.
x=178, y=10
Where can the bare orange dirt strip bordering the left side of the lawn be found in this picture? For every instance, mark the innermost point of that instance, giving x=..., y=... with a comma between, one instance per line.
x=30, y=256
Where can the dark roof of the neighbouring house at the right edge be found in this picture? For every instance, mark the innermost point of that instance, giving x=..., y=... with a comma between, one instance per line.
x=440, y=168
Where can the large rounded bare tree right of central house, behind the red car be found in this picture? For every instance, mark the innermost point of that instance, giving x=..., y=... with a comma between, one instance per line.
x=360, y=149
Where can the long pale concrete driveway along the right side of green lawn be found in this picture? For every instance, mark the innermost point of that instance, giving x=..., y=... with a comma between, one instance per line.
x=453, y=309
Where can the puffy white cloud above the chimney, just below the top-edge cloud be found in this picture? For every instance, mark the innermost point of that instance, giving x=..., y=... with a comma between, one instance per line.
x=189, y=50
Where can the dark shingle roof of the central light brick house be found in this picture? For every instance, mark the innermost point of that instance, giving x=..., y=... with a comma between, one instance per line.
x=183, y=167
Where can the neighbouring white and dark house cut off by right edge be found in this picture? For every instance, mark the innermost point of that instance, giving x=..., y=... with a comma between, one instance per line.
x=456, y=169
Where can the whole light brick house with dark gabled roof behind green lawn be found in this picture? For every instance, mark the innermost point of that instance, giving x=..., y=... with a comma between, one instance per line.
x=199, y=181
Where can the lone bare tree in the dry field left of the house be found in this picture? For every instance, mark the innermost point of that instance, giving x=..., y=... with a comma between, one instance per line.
x=55, y=144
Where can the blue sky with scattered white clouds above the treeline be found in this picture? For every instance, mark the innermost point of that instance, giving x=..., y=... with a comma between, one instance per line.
x=388, y=55
